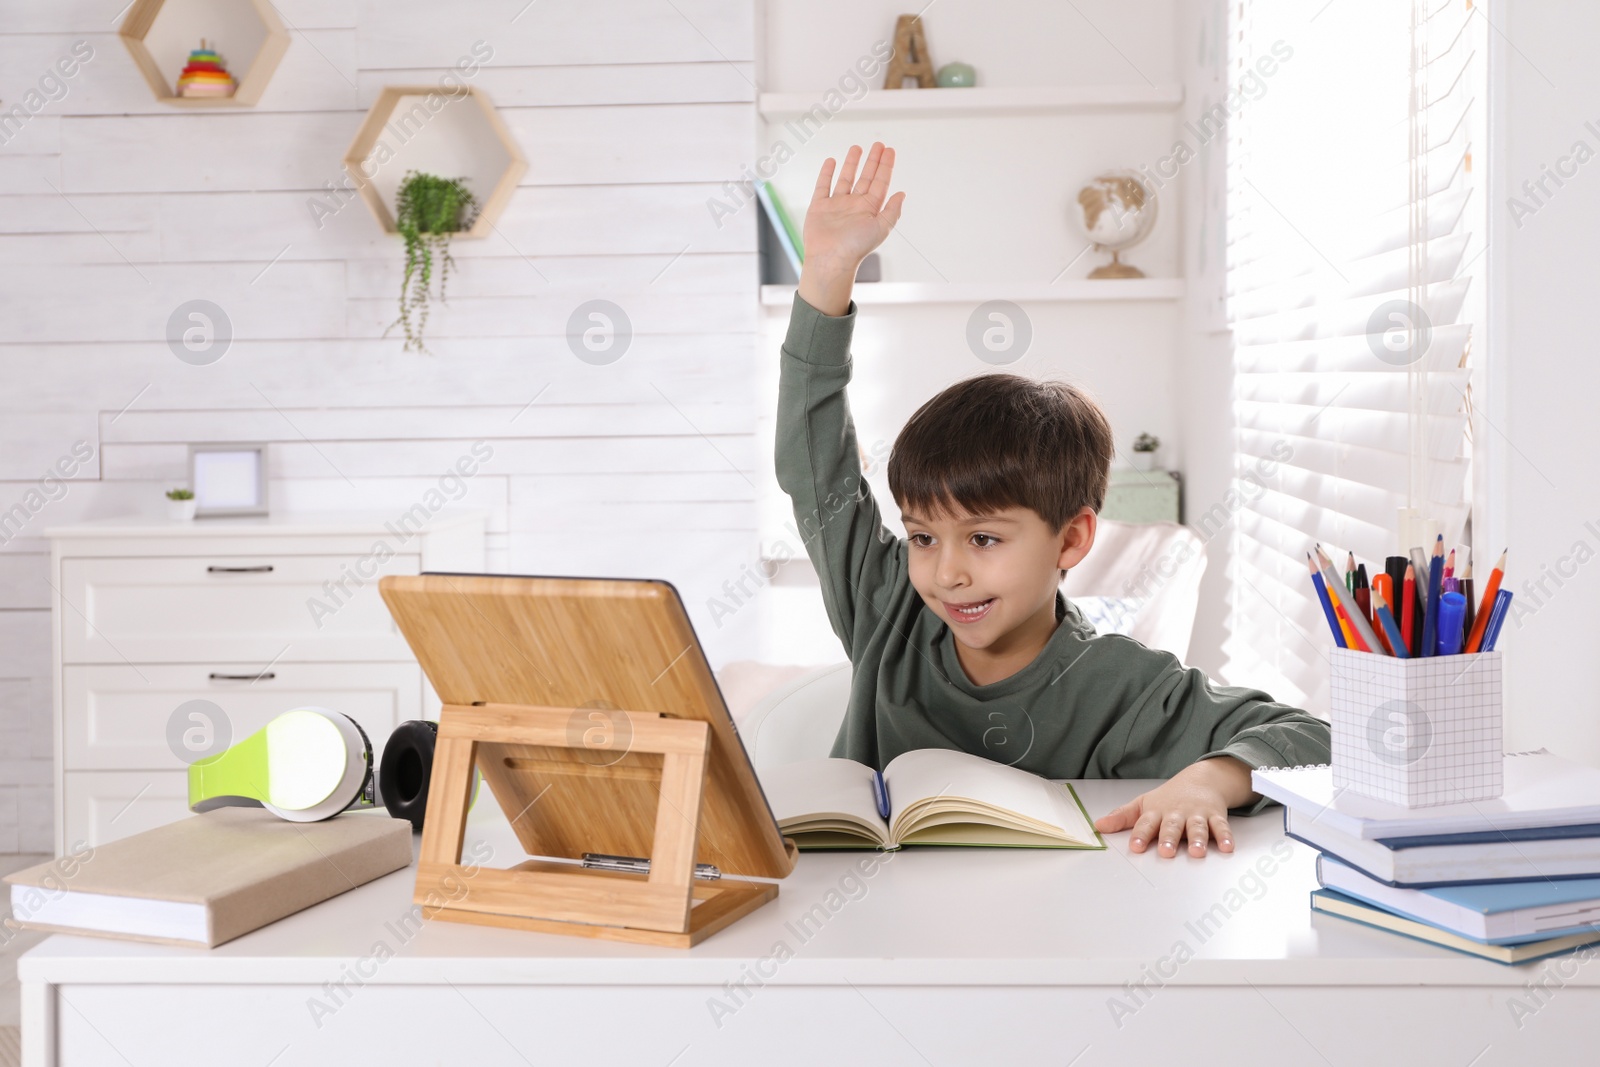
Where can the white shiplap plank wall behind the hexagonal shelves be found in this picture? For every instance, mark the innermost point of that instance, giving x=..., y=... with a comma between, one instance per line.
x=114, y=210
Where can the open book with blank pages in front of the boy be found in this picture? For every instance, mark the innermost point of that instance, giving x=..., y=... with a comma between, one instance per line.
x=937, y=797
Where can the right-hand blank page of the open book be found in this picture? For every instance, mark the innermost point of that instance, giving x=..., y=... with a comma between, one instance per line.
x=930, y=773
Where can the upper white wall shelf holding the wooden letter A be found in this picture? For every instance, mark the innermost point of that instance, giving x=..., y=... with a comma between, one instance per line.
x=983, y=102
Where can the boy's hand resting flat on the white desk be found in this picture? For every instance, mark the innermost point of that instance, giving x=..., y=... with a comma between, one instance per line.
x=1193, y=804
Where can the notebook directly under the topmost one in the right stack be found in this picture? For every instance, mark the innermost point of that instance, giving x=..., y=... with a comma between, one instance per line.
x=1436, y=860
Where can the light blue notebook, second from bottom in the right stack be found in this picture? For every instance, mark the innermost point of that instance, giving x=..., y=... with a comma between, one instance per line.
x=1495, y=914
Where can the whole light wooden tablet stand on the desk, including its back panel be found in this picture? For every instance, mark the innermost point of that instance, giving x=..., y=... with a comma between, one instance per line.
x=594, y=717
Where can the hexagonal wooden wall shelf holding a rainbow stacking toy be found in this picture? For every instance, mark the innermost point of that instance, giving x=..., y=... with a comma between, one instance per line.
x=249, y=34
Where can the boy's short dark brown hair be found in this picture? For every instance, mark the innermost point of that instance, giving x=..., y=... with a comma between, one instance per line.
x=1004, y=441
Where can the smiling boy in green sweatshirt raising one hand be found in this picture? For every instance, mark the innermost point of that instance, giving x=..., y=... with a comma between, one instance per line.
x=959, y=636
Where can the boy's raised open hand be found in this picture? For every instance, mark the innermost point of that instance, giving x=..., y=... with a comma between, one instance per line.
x=846, y=222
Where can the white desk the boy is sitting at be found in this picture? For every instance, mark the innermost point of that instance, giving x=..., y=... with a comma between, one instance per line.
x=937, y=957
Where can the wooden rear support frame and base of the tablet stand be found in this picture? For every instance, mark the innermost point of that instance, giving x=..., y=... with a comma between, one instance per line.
x=562, y=898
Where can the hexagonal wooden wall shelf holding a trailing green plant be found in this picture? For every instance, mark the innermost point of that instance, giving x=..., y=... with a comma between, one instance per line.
x=450, y=135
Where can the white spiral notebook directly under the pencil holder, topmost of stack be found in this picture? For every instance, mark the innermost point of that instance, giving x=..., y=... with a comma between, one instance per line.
x=1542, y=789
